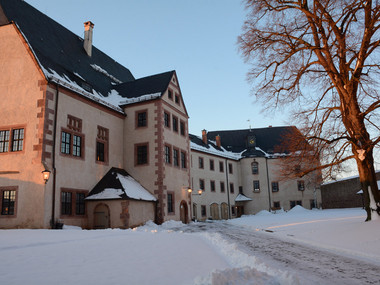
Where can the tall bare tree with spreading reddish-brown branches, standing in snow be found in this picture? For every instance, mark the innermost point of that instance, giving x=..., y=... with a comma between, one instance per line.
x=322, y=57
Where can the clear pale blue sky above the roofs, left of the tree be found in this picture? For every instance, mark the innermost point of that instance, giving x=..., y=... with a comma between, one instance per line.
x=196, y=38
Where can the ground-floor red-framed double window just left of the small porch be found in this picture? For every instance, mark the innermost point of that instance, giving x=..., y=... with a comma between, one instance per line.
x=71, y=205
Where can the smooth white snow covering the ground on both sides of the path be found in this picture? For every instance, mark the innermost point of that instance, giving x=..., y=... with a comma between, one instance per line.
x=170, y=254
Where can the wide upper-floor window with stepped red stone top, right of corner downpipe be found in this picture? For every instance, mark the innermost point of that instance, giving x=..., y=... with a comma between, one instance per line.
x=71, y=138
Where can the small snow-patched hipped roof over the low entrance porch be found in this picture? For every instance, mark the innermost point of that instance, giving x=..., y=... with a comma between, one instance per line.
x=118, y=184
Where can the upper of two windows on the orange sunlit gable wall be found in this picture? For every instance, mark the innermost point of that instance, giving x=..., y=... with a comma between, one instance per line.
x=10, y=141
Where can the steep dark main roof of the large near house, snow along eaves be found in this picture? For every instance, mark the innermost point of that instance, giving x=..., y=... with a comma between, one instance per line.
x=63, y=59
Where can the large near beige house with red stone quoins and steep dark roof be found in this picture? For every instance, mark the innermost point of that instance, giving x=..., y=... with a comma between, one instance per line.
x=72, y=111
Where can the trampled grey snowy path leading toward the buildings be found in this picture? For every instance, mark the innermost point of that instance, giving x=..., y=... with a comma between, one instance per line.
x=311, y=265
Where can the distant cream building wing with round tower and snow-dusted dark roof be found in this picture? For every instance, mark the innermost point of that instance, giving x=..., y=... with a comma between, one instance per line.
x=238, y=173
